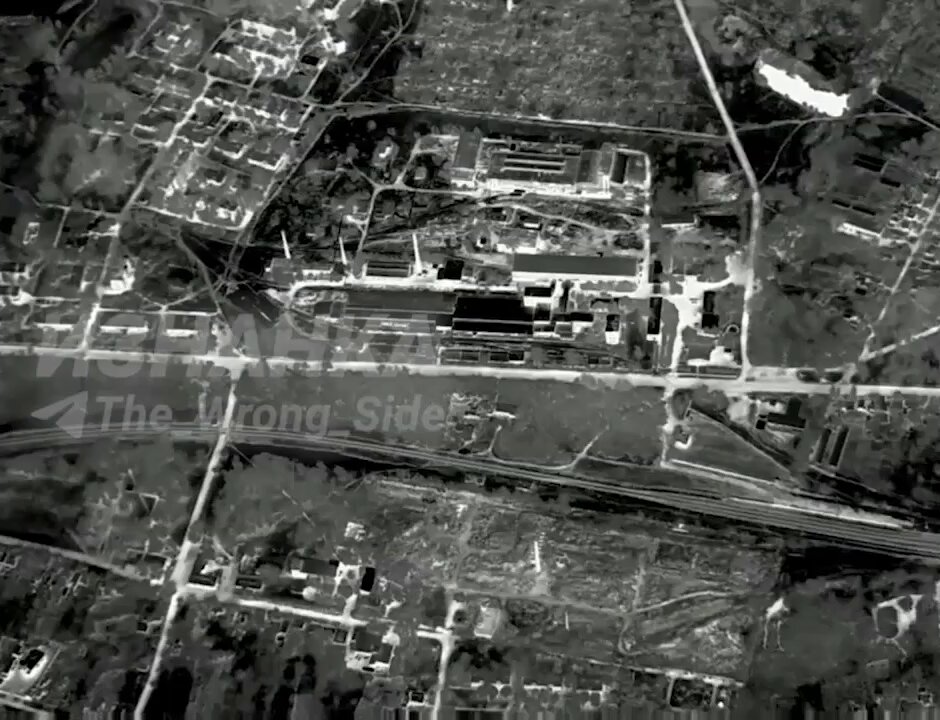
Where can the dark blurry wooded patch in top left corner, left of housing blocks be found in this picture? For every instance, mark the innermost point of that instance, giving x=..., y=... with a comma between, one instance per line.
x=58, y=83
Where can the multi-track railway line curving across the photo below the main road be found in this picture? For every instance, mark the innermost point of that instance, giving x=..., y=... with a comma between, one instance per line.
x=855, y=530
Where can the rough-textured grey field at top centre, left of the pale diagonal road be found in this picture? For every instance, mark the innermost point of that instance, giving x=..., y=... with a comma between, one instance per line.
x=591, y=59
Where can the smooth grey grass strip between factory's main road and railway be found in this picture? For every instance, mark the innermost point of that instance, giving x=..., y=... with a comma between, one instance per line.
x=552, y=422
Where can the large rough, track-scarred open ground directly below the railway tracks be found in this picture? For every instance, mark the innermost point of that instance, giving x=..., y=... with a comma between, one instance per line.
x=551, y=574
